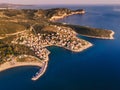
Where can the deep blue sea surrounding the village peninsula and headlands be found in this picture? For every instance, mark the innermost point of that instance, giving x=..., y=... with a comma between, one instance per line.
x=97, y=68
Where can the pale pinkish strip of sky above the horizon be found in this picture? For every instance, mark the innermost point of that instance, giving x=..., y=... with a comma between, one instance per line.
x=61, y=1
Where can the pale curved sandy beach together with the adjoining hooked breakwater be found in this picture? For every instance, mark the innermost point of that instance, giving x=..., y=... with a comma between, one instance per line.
x=12, y=64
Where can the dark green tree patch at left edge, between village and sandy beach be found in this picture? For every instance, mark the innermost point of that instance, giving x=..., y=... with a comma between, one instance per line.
x=6, y=50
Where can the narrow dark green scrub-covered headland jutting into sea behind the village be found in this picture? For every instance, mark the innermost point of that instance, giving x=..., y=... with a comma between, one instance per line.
x=87, y=31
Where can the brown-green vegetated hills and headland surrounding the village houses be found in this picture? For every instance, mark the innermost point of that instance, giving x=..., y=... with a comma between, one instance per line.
x=14, y=21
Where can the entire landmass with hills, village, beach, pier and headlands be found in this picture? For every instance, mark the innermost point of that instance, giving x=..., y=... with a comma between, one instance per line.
x=25, y=35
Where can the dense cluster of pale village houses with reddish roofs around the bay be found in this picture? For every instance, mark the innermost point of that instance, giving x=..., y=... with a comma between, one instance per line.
x=63, y=37
